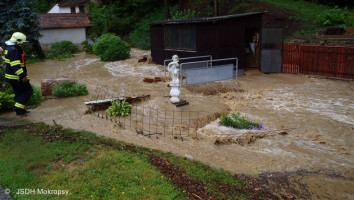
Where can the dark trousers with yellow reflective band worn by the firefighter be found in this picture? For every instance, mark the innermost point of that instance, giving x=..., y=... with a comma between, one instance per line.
x=23, y=92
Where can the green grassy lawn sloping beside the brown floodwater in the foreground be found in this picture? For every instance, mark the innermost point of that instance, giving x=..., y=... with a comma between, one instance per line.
x=91, y=167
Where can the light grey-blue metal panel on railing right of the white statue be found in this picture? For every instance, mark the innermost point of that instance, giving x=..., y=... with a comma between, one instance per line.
x=204, y=75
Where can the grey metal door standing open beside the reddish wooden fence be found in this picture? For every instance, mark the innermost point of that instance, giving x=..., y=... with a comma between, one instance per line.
x=271, y=44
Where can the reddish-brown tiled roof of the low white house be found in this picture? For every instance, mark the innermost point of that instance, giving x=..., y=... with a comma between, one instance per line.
x=64, y=20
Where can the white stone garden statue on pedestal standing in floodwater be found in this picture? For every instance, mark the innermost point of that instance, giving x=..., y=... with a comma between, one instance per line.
x=173, y=69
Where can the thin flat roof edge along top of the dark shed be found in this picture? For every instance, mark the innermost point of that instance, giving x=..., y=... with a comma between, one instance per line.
x=206, y=19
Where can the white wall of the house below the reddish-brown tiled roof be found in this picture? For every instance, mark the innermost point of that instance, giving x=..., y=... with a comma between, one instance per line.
x=50, y=36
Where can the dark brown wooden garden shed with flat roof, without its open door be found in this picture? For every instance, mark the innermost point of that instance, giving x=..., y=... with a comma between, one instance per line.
x=221, y=37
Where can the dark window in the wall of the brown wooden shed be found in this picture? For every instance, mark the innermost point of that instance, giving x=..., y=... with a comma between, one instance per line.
x=180, y=37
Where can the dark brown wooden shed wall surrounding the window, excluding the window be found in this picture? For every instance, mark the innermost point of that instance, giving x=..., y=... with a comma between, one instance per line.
x=221, y=39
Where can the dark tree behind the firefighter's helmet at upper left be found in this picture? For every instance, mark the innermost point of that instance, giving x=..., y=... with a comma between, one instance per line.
x=17, y=16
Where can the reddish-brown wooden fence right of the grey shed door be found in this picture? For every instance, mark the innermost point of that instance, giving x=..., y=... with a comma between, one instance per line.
x=334, y=61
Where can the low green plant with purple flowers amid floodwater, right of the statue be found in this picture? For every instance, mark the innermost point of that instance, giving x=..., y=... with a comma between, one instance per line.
x=236, y=121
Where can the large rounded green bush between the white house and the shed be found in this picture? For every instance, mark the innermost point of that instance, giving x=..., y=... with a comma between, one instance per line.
x=111, y=48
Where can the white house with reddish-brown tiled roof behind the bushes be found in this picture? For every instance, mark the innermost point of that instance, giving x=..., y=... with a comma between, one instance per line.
x=65, y=21
